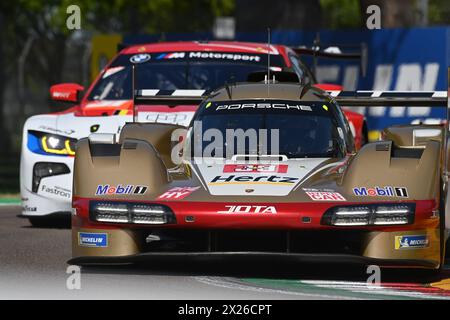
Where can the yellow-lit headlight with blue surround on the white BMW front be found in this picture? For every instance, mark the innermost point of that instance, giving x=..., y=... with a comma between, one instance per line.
x=47, y=143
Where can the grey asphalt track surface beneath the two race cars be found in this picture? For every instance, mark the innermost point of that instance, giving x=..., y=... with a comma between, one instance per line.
x=33, y=266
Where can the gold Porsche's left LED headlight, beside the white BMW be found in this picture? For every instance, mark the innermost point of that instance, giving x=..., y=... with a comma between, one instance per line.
x=130, y=212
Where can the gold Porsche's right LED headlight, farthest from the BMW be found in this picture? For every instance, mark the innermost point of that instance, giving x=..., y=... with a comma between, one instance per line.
x=370, y=215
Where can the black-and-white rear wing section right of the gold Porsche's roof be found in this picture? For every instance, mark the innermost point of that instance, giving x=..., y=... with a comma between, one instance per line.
x=390, y=98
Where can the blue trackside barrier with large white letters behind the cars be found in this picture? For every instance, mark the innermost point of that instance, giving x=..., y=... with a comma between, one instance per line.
x=399, y=59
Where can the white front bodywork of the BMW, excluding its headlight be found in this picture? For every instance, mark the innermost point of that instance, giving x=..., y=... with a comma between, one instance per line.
x=54, y=194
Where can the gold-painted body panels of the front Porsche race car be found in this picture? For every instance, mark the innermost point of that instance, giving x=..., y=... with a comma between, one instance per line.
x=145, y=159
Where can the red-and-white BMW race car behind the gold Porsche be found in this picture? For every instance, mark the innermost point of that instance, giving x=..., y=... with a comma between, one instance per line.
x=48, y=140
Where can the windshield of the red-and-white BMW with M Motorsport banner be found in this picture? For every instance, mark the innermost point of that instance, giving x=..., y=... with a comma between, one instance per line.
x=181, y=70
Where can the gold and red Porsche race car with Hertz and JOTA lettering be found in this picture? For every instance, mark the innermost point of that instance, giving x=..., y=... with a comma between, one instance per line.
x=264, y=169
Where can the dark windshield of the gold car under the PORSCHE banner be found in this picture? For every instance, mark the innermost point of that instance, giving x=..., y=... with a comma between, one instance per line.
x=293, y=129
